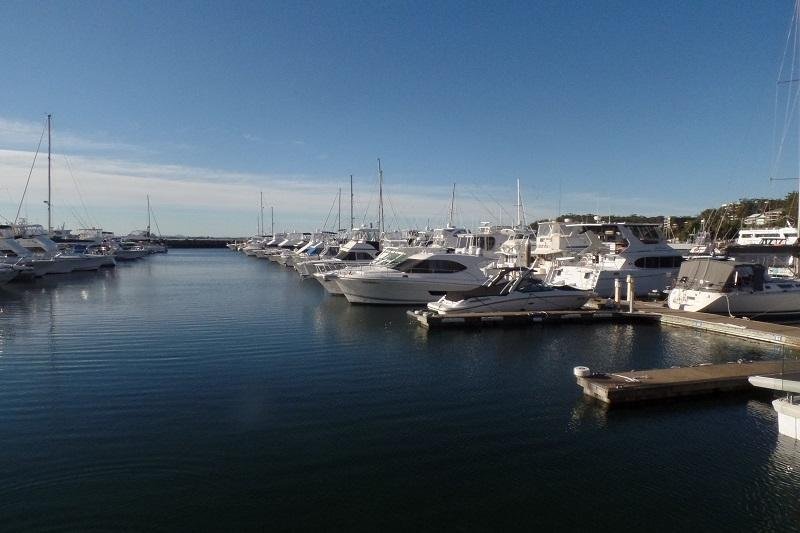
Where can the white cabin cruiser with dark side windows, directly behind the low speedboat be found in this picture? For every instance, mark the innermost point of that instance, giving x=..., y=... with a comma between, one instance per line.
x=421, y=278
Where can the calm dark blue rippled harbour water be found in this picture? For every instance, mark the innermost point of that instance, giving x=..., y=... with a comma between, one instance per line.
x=205, y=390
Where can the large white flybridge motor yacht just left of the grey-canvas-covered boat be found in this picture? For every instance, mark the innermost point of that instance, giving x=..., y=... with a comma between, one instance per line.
x=636, y=250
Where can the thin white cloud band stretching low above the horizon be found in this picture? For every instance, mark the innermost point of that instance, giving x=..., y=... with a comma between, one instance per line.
x=188, y=193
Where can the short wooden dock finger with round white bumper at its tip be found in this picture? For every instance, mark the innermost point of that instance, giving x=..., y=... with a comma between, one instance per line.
x=666, y=383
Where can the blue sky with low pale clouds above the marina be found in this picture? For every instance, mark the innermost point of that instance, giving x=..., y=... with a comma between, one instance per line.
x=646, y=107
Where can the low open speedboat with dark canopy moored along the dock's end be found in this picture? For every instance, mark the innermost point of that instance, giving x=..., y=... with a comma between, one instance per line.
x=505, y=292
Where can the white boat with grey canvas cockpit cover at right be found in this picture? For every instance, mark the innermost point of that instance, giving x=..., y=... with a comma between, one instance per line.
x=728, y=287
